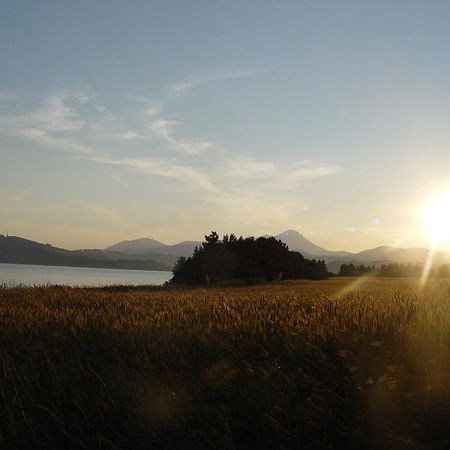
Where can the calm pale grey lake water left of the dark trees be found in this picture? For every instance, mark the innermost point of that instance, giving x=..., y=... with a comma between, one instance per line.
x=77, y=276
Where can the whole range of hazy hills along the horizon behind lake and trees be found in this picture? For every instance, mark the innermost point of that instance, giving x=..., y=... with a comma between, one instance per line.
x=150, y=254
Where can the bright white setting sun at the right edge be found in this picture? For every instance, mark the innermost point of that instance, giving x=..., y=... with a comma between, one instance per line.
x=437, y=219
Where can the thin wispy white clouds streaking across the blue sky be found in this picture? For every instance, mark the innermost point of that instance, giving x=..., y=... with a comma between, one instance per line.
x=138, y=139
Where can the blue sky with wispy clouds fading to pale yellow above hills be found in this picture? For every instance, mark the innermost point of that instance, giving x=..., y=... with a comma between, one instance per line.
x=169, y=119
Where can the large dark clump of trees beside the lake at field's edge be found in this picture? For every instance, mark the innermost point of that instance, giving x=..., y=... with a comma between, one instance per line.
x=247, y=259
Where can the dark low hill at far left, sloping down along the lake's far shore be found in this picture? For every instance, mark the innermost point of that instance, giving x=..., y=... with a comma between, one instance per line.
x=17, y=250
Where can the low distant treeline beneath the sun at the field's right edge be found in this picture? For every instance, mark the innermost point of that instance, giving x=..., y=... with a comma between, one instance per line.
x=393, y=270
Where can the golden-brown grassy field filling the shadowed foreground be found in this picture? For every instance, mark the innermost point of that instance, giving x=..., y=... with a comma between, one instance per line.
x=342, y=363
